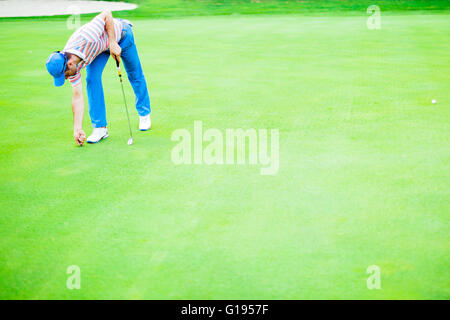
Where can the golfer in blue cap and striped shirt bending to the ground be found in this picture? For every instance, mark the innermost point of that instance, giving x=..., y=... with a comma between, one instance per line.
x=90, y=47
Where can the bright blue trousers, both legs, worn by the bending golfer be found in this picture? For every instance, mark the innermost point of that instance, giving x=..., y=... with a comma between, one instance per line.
x=130, y=58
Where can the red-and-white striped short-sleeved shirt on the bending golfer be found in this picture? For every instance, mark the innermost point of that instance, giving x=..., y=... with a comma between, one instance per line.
x=88, y=42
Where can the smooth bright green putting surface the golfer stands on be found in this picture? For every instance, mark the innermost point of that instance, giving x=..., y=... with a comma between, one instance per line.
x=363, y=178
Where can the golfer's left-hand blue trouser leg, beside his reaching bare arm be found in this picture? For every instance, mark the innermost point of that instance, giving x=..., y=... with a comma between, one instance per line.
x=96, y=98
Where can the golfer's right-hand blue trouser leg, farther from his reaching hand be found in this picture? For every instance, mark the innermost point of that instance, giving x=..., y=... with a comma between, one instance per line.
x=135, y=73
